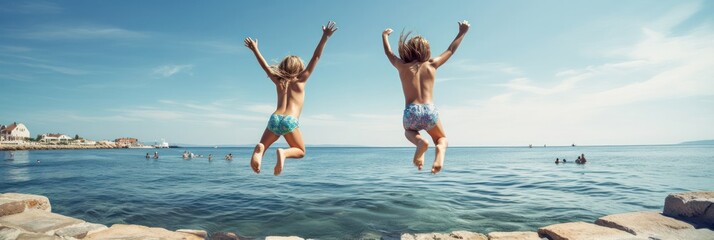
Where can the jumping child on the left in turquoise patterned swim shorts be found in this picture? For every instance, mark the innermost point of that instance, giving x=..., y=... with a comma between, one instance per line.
x=289, y=77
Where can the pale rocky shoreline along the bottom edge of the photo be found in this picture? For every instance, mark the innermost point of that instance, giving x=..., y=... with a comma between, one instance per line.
x=688, y=215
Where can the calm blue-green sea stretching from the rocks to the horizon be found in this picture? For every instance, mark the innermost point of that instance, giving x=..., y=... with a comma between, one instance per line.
x=358, y=192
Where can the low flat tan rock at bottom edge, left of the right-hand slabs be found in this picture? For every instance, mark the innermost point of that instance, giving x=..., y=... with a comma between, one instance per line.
x=583, y=231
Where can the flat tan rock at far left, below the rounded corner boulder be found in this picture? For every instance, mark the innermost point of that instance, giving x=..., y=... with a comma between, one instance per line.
x=38, y=221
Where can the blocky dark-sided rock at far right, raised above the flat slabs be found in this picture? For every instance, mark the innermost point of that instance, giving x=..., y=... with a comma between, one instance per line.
x=691, y=206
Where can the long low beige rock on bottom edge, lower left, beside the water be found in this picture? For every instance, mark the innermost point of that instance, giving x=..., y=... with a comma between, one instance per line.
x=123, y=231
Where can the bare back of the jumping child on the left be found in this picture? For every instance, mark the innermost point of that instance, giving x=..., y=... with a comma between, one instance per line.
x=290, y=102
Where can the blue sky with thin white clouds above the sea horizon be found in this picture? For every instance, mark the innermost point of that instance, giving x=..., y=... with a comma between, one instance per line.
x=528, y=72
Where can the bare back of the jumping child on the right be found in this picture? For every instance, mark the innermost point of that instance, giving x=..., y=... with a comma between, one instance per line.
x=417, y=81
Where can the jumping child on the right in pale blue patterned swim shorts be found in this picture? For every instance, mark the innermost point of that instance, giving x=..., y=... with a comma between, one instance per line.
x=417, y=72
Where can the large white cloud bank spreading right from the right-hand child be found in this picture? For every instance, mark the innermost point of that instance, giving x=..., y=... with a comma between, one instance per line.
x=602, y=103
